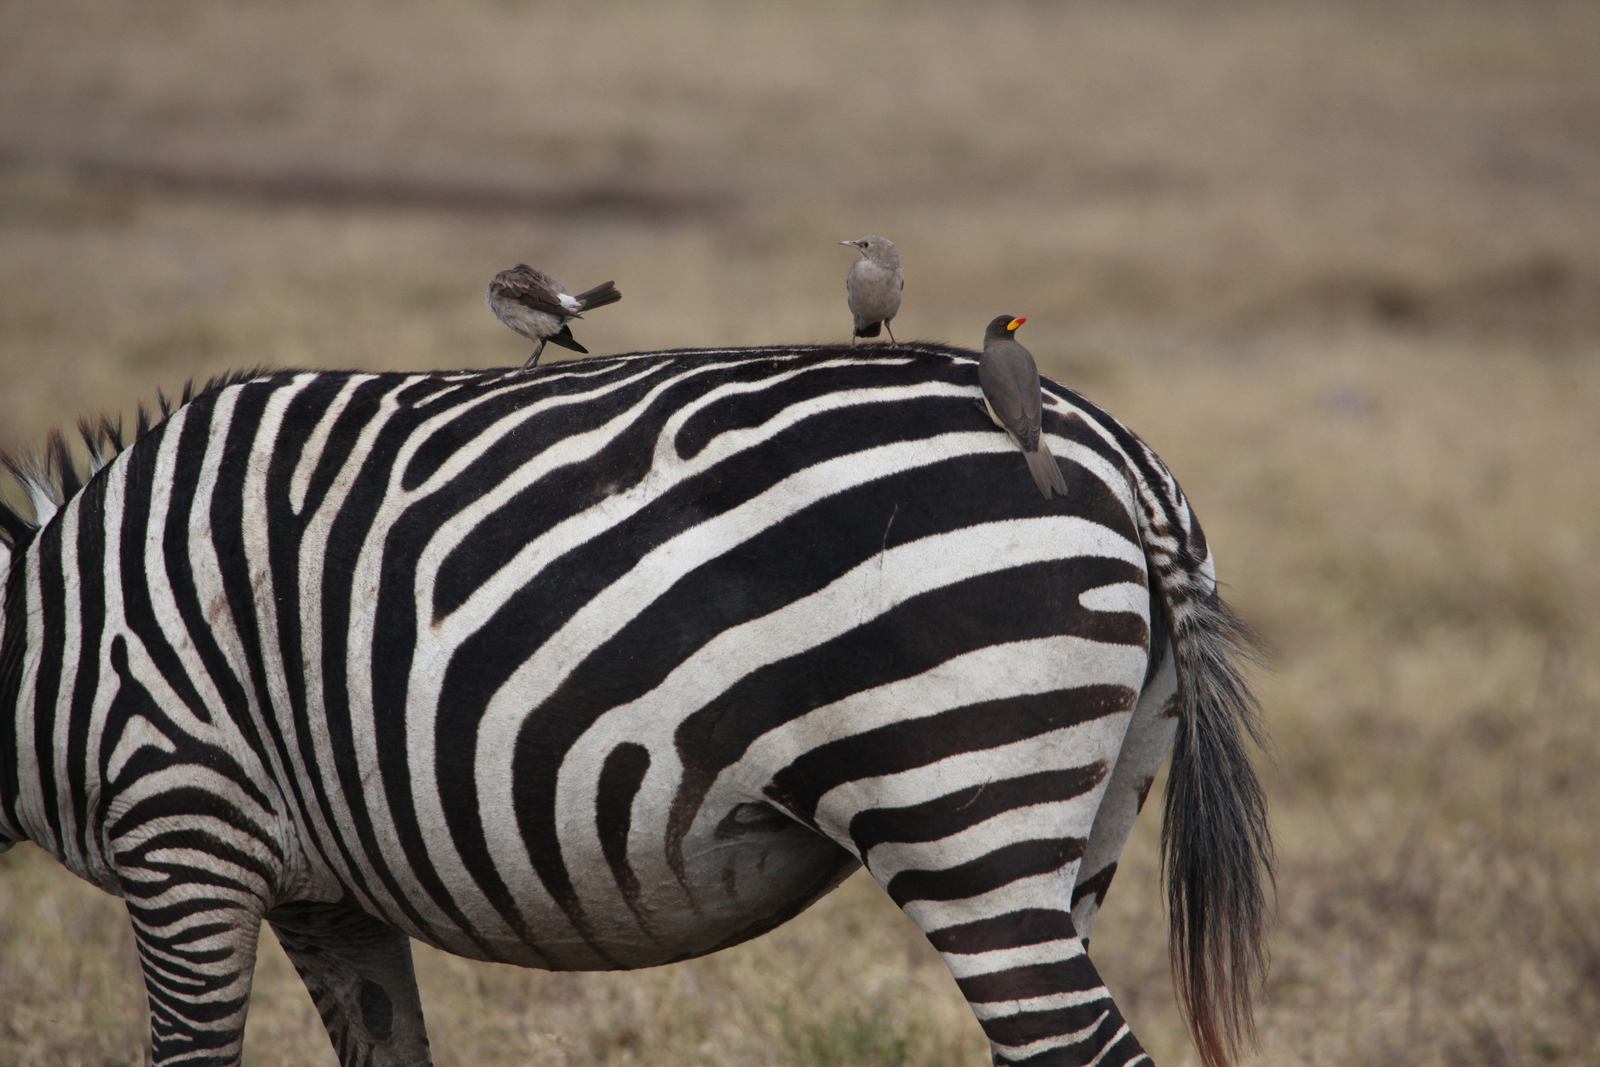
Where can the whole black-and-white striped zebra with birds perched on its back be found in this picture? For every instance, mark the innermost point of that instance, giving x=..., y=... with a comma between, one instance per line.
x=618, y=663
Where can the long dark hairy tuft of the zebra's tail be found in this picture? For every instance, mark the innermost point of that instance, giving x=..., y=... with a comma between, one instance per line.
x=1217, y=847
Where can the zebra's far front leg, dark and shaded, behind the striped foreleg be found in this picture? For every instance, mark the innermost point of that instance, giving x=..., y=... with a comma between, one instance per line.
x=361, y=978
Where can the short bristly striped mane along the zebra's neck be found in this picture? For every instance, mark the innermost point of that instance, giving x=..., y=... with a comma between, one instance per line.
x=52, y=478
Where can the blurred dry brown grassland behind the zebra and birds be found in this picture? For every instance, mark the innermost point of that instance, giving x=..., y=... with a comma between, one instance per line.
x=1338, y=263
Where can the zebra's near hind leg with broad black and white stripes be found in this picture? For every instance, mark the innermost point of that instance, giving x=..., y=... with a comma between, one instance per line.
x=986, y=873
